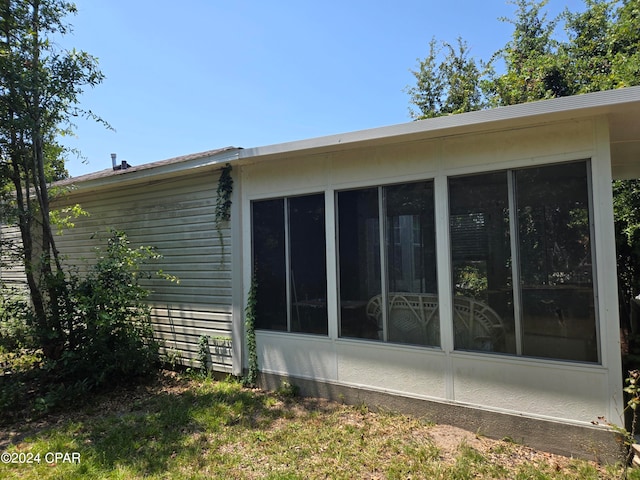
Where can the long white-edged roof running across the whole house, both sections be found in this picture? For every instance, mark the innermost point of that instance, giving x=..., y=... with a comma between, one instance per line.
x=621, y=107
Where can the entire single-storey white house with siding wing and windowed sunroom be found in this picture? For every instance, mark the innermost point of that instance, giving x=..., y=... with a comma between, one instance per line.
x=461, y=267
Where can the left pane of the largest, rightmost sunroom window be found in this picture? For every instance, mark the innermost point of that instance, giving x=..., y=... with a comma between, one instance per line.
x=481, y=263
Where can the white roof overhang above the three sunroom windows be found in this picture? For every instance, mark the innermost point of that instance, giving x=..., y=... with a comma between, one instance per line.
x=621, y=107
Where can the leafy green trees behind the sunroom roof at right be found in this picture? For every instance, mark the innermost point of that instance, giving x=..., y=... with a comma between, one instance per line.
x=600, y=51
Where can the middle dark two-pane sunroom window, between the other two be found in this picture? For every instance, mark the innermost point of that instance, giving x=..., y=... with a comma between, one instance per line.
x=387, y=264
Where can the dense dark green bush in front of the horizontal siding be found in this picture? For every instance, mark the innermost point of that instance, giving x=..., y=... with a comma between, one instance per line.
x=101, y=336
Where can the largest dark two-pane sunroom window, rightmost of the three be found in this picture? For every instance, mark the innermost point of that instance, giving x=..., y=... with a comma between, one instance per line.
x=532, y=224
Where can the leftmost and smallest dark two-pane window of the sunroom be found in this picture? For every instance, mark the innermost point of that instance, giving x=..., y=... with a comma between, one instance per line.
x=289, y=254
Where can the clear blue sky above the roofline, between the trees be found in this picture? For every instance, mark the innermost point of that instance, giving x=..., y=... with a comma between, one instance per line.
x=195, y=75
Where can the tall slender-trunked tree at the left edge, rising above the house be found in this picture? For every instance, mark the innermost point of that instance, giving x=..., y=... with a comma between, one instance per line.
x=40, y=86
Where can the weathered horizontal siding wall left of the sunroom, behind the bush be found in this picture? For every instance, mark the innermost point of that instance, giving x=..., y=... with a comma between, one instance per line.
x=177, y=218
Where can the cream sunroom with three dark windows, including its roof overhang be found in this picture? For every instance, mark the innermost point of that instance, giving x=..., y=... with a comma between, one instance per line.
x=465, y=261
